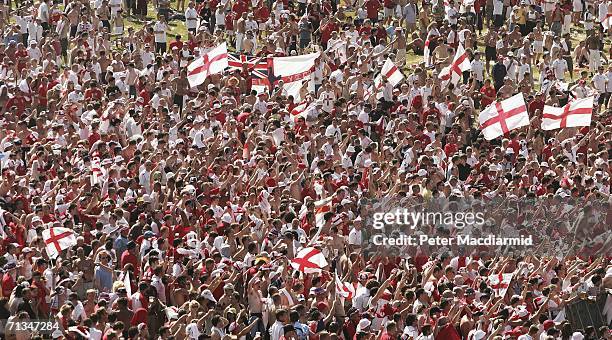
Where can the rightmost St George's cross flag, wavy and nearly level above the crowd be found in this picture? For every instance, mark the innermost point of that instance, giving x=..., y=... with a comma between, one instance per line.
x=575, y=113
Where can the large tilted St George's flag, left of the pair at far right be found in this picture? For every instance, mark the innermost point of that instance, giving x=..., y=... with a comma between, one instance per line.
x=500, y=117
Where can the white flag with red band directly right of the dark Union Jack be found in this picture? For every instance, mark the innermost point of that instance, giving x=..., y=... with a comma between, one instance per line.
x=293, y=71
